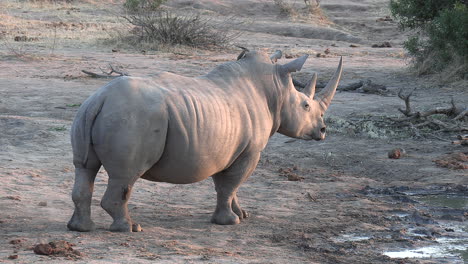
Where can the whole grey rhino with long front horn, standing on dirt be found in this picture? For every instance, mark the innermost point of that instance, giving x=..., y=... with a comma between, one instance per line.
x=183, y=130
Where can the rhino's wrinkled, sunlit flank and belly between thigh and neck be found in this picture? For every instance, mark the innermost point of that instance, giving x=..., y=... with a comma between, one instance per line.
x=210, y=125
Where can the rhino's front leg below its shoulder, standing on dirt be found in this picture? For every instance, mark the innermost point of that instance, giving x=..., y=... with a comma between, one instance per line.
x=228, y=211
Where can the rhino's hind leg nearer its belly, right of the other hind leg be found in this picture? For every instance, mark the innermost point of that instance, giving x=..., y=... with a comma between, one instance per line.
x=115, y=202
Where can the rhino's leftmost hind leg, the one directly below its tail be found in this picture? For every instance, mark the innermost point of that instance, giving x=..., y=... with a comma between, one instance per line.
x=81, y=195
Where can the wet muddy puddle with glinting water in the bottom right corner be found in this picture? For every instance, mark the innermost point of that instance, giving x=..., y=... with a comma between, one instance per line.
x=429, y=225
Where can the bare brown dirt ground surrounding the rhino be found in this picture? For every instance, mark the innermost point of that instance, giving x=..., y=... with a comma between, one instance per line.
x=351, y=203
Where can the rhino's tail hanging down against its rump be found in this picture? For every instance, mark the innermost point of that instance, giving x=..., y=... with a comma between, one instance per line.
x=82, y=127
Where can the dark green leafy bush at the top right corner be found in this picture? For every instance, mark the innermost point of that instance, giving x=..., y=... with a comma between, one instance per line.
x=439, y=39
